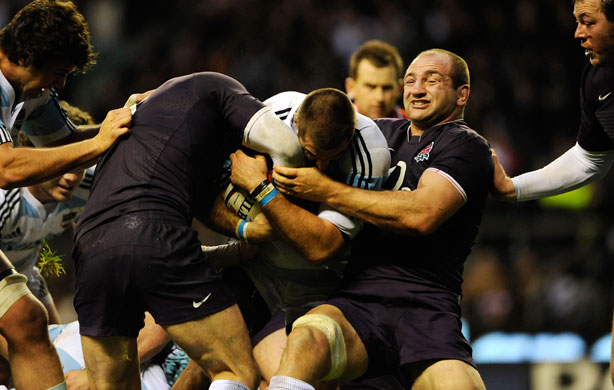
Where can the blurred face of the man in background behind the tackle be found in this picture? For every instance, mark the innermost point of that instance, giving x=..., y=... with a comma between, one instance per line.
x=375, y=90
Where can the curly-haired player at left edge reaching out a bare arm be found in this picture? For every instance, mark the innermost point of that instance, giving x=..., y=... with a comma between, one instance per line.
x=40, y=46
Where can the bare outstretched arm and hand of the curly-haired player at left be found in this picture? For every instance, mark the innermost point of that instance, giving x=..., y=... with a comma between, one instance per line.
x=21, y=167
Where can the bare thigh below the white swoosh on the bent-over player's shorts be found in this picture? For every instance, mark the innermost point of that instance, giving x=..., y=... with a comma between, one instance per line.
x=217, y=342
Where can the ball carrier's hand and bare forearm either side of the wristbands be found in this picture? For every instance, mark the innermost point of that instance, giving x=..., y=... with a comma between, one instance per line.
x=316, y=239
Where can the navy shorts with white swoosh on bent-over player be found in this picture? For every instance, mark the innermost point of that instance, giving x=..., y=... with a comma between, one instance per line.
x=142, y=262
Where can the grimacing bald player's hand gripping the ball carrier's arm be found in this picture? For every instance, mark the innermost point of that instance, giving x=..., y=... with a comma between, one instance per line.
x=305, y=183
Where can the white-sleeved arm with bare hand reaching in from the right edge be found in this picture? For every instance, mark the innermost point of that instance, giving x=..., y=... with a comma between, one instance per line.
x=575, y=168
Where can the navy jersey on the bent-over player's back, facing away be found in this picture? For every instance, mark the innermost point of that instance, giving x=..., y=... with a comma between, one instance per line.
x=169, y=161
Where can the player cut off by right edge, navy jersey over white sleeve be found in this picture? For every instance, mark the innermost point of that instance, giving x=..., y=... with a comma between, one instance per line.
x=592, y=156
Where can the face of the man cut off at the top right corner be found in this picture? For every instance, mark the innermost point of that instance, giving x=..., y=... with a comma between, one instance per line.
x=595, y=32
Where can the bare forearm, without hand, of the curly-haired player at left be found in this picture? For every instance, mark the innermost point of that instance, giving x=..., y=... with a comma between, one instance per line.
x=20, y=167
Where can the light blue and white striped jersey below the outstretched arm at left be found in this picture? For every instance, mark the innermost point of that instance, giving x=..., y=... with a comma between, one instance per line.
x=25, y=222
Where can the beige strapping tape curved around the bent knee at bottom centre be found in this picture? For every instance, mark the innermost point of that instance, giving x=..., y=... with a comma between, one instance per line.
x=332, y=330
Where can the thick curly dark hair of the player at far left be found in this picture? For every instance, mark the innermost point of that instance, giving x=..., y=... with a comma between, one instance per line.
x=48, y=31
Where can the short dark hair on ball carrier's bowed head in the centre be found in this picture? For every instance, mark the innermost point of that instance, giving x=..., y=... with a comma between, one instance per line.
x=328, y=116
